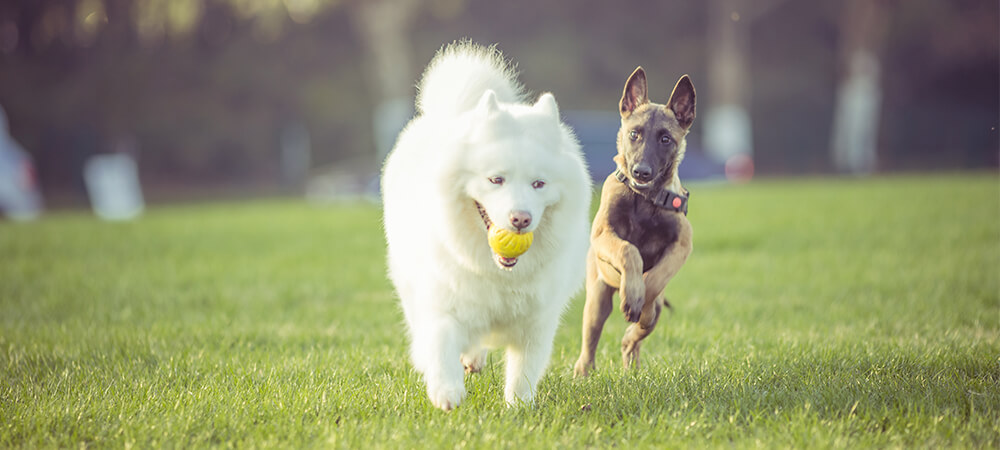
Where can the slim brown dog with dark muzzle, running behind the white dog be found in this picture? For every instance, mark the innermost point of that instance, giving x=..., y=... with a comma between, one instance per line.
x=641, y=236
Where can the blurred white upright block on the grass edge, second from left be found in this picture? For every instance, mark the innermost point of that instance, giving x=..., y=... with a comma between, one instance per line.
x=113, y=186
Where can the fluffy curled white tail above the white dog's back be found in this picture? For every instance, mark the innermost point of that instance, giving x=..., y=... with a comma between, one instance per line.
x=460, y=73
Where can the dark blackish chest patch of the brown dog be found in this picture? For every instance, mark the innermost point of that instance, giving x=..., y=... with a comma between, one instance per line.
x=651, y=229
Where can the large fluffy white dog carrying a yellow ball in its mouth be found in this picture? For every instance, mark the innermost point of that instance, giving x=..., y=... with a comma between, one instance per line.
x=476, y=155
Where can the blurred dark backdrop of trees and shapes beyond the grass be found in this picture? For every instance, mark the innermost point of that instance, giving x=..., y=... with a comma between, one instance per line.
x=229, y=98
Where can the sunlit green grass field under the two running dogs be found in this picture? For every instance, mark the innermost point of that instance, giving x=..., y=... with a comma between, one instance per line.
x=813, y=313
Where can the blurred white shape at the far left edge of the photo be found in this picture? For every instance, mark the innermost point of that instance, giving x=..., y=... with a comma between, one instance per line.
x=19, y=196
